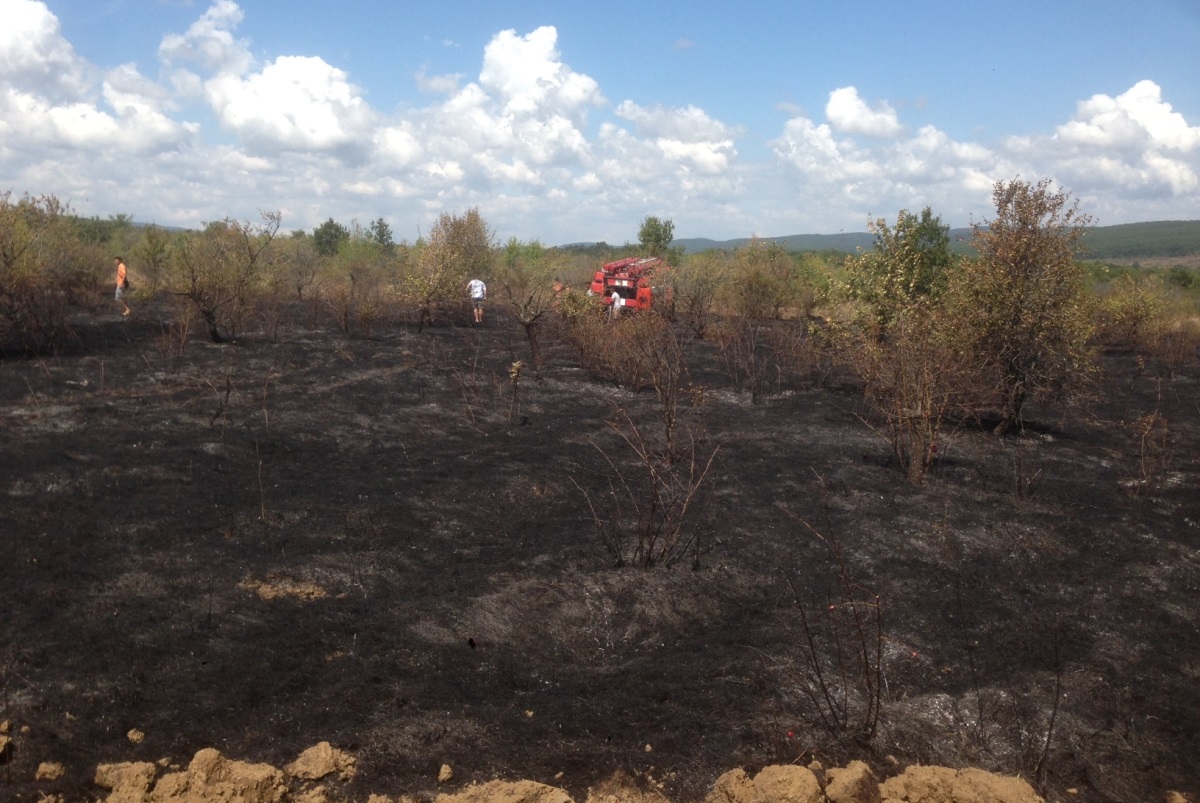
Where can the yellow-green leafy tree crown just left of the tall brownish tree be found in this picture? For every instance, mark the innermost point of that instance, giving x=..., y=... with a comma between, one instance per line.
x=910, y=262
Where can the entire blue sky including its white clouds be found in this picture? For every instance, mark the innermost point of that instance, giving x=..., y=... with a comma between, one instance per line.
x=573, y=122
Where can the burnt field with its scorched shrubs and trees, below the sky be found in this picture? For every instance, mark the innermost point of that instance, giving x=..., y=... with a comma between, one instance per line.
x=458, y=506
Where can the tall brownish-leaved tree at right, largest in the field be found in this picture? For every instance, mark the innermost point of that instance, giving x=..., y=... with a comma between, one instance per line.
x=1021, y=308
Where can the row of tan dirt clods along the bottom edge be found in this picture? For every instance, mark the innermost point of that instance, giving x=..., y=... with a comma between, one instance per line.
x=212, y=778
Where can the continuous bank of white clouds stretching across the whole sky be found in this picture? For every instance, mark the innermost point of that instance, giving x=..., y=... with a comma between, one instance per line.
x=518, y=141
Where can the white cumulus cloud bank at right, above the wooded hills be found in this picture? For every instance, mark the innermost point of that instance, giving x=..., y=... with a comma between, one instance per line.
x=1133, y=146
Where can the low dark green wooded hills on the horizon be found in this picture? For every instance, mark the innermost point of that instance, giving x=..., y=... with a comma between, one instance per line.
x=1125, y=242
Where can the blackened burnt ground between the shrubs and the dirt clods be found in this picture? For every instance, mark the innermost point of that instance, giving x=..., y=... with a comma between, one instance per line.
x=262, y=546
